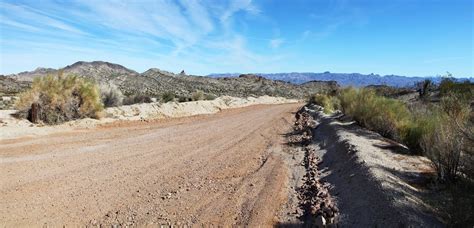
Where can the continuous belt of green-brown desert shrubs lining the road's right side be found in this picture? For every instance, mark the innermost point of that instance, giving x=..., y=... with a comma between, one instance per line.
x=438, y=125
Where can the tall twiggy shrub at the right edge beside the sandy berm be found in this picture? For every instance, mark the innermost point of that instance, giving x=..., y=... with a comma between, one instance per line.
x=450, y=144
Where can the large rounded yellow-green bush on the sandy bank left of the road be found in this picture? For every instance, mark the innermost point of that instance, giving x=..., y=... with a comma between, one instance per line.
x=61, y=98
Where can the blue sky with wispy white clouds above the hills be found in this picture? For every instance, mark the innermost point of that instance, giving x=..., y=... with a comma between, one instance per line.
x=404, y=37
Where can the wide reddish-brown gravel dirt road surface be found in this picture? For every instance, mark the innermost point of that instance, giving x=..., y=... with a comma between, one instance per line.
x=225, y=168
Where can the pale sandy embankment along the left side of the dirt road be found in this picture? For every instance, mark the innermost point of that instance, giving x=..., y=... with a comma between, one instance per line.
x=11, y=127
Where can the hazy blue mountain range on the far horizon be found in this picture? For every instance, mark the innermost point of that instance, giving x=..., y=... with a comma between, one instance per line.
x=344, y=79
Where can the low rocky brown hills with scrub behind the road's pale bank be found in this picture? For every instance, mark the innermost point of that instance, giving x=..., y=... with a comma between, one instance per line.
x=155, y=82
